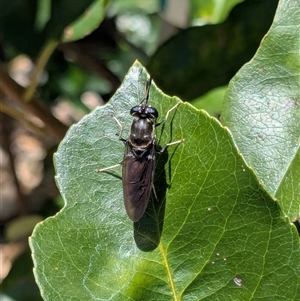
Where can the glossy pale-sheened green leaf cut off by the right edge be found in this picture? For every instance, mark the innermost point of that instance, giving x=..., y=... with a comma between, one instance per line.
x=262, y=109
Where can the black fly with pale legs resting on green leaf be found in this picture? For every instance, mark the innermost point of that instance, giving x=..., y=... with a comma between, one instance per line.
x=139, y=157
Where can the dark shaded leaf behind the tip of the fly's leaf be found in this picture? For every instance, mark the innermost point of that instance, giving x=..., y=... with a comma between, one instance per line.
x=210, y=55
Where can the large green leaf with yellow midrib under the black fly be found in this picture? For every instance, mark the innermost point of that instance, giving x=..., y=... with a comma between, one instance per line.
x=214, y=223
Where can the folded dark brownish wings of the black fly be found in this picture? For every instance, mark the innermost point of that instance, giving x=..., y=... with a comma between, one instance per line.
x=137, y=182
